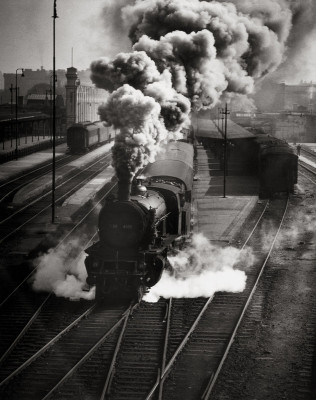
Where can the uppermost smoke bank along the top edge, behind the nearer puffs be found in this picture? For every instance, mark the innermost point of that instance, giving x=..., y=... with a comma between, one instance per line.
x=252, y=32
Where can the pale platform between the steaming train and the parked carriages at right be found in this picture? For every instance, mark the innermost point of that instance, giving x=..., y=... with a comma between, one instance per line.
x=220, y=218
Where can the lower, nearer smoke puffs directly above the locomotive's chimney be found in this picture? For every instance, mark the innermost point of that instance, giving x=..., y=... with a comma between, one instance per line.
x=143, y=106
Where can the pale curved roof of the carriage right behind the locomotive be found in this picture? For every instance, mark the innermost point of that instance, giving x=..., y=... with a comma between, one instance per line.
x=175, y=162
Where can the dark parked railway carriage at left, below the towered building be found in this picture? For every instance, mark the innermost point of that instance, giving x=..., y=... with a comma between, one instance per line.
x=84, y=136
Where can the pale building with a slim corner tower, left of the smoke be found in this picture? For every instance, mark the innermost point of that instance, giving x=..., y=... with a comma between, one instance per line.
x=82, y=101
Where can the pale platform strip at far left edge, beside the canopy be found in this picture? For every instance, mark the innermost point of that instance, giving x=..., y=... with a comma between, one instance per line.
x=13, y=169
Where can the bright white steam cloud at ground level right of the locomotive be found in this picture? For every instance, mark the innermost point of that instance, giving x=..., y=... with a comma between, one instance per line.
x=202, y=269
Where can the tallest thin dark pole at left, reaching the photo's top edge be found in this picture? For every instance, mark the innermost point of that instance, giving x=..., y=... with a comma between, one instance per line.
x=54, y=115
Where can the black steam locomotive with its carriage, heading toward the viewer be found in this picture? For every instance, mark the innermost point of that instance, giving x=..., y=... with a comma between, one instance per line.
x=138, y=228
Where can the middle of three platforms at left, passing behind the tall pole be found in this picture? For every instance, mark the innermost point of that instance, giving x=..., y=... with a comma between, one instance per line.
x=43, y=184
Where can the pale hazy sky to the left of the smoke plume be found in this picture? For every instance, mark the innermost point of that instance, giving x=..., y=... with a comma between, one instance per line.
x=27, y=33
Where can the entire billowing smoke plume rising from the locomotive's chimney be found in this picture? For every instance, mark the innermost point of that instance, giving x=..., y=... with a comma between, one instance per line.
x=186, y=53
